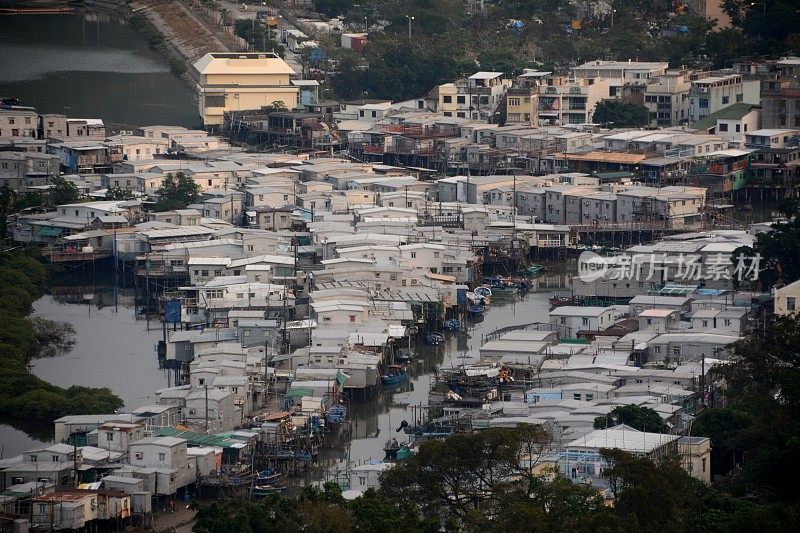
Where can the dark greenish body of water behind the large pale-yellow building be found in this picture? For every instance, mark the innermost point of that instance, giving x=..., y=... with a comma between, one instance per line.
x=90, y=64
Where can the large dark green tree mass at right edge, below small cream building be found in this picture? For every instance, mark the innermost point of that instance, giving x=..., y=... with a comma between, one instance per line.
x=758, y=430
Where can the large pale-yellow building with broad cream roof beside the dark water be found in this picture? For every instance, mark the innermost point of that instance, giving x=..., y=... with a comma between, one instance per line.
x=242, y=81
